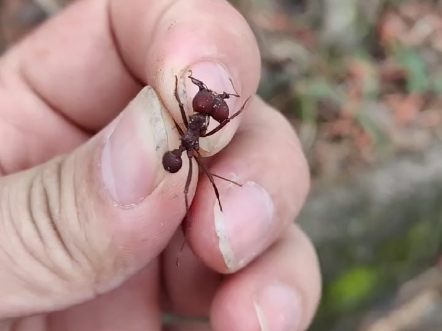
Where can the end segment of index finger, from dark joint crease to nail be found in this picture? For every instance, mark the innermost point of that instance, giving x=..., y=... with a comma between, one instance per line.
x=200, y=41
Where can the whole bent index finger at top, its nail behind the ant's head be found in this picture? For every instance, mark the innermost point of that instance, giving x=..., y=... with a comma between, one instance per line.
x=89, y=61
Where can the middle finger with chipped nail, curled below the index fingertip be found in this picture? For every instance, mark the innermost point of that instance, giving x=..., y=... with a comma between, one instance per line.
x=266, y=157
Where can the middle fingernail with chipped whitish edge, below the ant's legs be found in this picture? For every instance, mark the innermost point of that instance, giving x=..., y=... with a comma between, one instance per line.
x=245, y=224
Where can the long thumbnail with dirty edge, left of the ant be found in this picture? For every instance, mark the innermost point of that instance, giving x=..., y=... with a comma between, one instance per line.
x=132, y=153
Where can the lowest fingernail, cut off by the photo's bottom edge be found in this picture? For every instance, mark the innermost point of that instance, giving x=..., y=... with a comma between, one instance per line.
x=278, y=308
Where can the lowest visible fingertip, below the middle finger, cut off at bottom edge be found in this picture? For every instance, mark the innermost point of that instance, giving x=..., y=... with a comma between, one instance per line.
x=278, y=291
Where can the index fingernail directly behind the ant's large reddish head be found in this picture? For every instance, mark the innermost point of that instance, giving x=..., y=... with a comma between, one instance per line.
x=217, y=78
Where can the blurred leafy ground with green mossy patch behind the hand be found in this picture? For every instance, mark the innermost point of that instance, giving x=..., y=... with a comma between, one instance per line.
x=361, y=81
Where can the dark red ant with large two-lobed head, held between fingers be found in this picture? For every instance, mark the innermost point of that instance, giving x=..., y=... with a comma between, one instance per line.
x=206, y=104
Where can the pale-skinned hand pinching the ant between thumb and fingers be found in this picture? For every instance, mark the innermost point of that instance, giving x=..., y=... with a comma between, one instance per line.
x=89, y=222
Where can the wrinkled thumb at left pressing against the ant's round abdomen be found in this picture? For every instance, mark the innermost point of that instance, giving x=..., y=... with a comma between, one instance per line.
x=83, y=223
